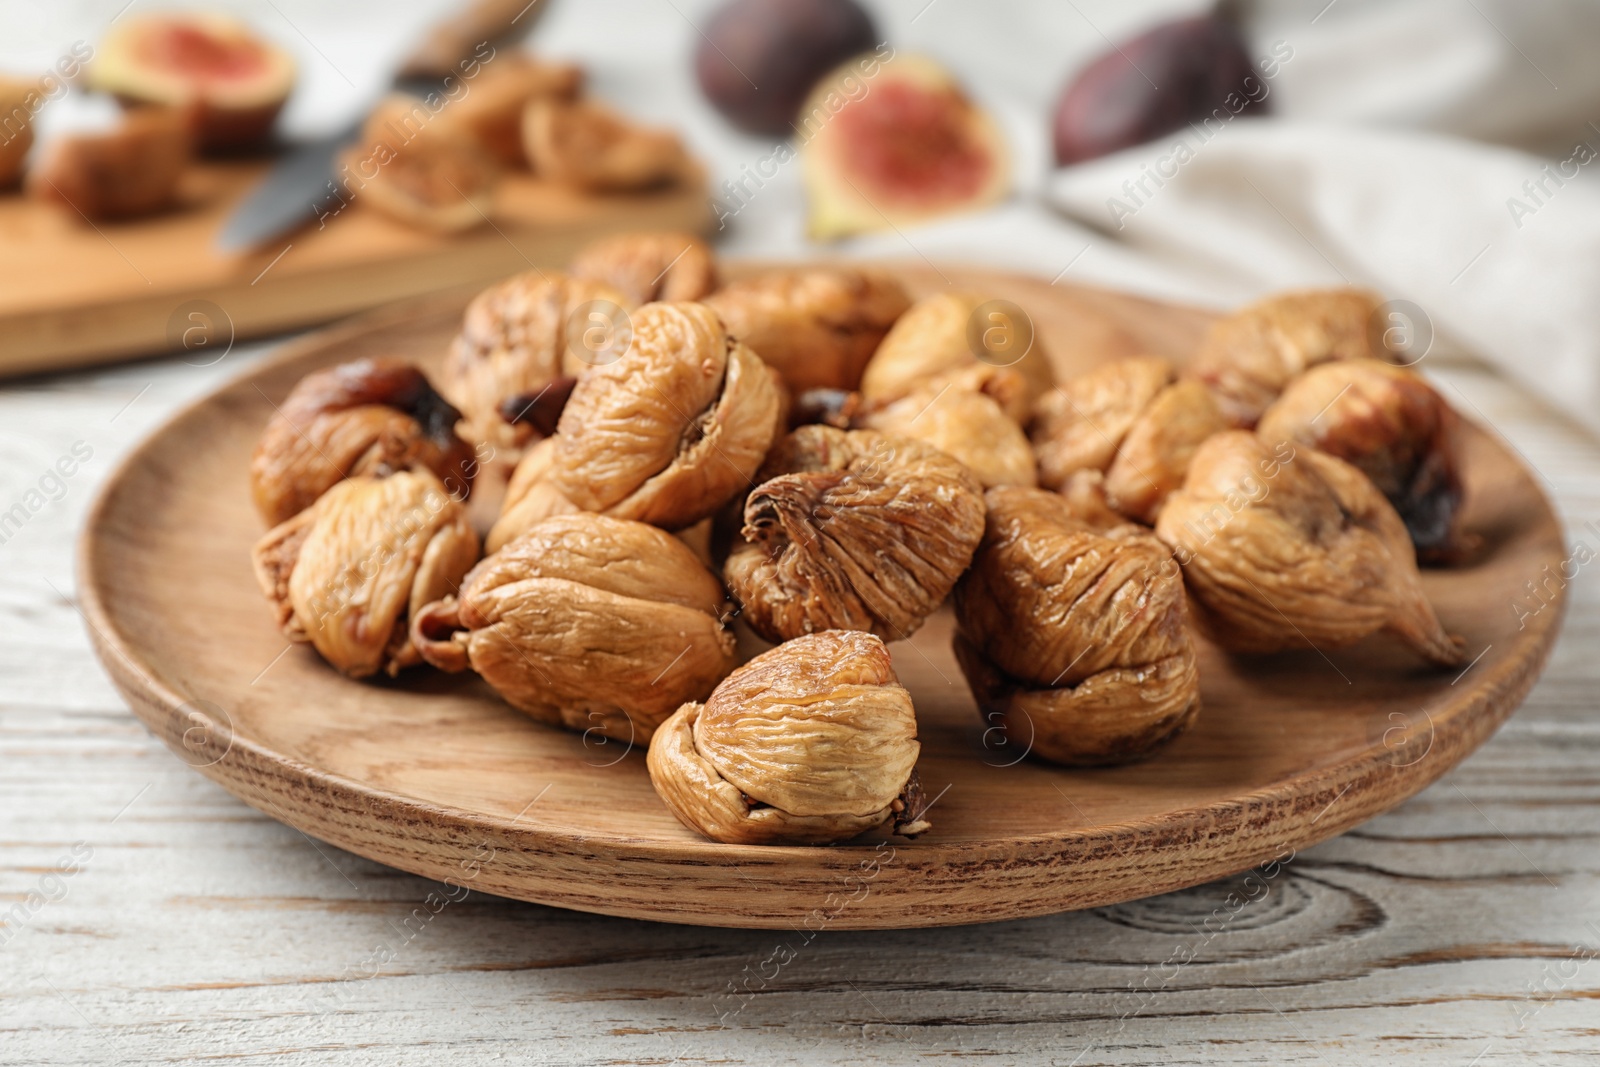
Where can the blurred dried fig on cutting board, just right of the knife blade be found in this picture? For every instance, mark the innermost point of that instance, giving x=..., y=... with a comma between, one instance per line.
x=418, y=170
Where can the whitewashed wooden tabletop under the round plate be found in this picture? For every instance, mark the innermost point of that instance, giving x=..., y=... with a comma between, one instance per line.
x=1457, y=930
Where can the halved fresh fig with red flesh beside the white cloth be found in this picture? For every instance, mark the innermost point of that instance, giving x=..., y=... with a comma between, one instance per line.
x=900, y=150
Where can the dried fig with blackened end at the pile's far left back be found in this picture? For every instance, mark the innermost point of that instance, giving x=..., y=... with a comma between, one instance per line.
x=361, y=418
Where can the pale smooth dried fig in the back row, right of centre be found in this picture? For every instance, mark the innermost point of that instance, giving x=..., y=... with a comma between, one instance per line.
x=930, y=348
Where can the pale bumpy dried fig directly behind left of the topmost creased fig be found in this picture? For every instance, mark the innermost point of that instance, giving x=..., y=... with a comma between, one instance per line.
x=522, y=335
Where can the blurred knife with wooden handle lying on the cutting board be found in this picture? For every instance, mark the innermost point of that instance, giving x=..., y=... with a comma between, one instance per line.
x=294, y=191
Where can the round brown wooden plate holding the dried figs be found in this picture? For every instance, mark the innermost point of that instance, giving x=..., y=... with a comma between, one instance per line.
x=436, y=777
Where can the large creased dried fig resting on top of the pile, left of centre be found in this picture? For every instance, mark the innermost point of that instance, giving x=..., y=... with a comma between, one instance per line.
x=671, y=430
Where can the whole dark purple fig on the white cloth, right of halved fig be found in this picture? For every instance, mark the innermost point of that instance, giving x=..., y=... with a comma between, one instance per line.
x=1162, y=81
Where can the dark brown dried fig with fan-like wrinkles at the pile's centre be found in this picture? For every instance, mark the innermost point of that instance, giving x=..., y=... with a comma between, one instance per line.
x=854, y=530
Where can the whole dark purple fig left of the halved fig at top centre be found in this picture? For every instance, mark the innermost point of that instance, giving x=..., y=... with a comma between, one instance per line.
x=759, y=58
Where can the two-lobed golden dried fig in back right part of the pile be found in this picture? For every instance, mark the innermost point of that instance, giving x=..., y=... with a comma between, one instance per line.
x=1130, y=422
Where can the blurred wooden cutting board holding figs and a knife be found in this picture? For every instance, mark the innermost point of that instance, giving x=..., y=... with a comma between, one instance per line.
x=76, y=294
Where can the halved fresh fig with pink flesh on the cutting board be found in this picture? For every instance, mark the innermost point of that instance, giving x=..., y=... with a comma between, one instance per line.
x=234, y=79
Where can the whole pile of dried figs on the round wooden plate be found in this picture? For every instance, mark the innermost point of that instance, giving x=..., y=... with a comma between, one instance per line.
x=812, y=460
